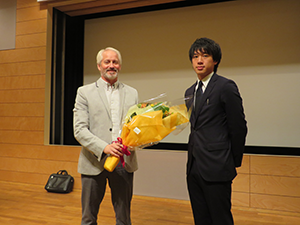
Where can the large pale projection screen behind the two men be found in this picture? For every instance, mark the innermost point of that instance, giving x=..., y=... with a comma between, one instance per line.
x=260, y=41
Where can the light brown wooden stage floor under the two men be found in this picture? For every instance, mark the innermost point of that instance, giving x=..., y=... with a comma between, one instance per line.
x=26, y=204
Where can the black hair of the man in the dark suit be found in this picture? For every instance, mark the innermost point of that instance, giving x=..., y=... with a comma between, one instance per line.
x=206, y=45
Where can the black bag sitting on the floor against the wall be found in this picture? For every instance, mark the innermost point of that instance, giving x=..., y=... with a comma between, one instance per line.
x=60, y=182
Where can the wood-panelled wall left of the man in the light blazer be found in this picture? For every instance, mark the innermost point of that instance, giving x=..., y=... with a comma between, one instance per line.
x=22, y=101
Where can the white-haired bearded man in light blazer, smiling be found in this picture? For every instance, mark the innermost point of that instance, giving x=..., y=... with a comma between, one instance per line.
x=99, y=109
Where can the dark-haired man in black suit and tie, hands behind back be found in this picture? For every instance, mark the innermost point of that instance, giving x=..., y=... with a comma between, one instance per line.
x=217, y=137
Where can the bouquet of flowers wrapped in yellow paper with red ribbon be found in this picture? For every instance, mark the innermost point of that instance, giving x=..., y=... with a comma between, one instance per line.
x=146, y=124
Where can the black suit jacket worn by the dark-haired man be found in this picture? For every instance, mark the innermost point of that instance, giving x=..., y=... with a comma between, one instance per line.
x=218, y=131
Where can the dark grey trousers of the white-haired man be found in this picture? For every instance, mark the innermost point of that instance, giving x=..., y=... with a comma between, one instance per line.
x=93, y=190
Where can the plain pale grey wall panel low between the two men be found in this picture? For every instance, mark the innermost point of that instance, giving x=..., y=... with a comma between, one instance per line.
x=161, y=174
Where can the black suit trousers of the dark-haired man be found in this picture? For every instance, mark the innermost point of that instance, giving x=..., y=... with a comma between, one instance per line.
x=210, y=201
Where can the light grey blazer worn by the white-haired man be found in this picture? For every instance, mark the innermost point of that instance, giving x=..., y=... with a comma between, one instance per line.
x=92, y=124
